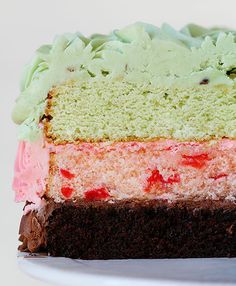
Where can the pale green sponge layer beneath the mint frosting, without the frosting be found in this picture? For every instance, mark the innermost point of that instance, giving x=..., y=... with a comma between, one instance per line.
x=118, y=110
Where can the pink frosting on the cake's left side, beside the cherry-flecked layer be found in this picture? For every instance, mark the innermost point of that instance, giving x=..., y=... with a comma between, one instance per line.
x=31, y=172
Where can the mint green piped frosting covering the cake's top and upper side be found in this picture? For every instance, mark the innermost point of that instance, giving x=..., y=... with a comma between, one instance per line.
x=140, y=53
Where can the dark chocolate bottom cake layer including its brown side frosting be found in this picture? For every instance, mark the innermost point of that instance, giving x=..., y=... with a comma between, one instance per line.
x=151, y=229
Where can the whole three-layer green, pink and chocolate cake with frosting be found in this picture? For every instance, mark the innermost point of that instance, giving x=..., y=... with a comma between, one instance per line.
x=127, y=145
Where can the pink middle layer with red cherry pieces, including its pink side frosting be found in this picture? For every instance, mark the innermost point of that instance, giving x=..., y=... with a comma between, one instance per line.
x=163, y=169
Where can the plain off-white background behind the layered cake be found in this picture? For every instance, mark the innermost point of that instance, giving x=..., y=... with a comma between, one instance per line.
x=26, y=24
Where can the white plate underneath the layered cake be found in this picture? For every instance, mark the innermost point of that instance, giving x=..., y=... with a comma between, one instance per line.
x=140, y=272
